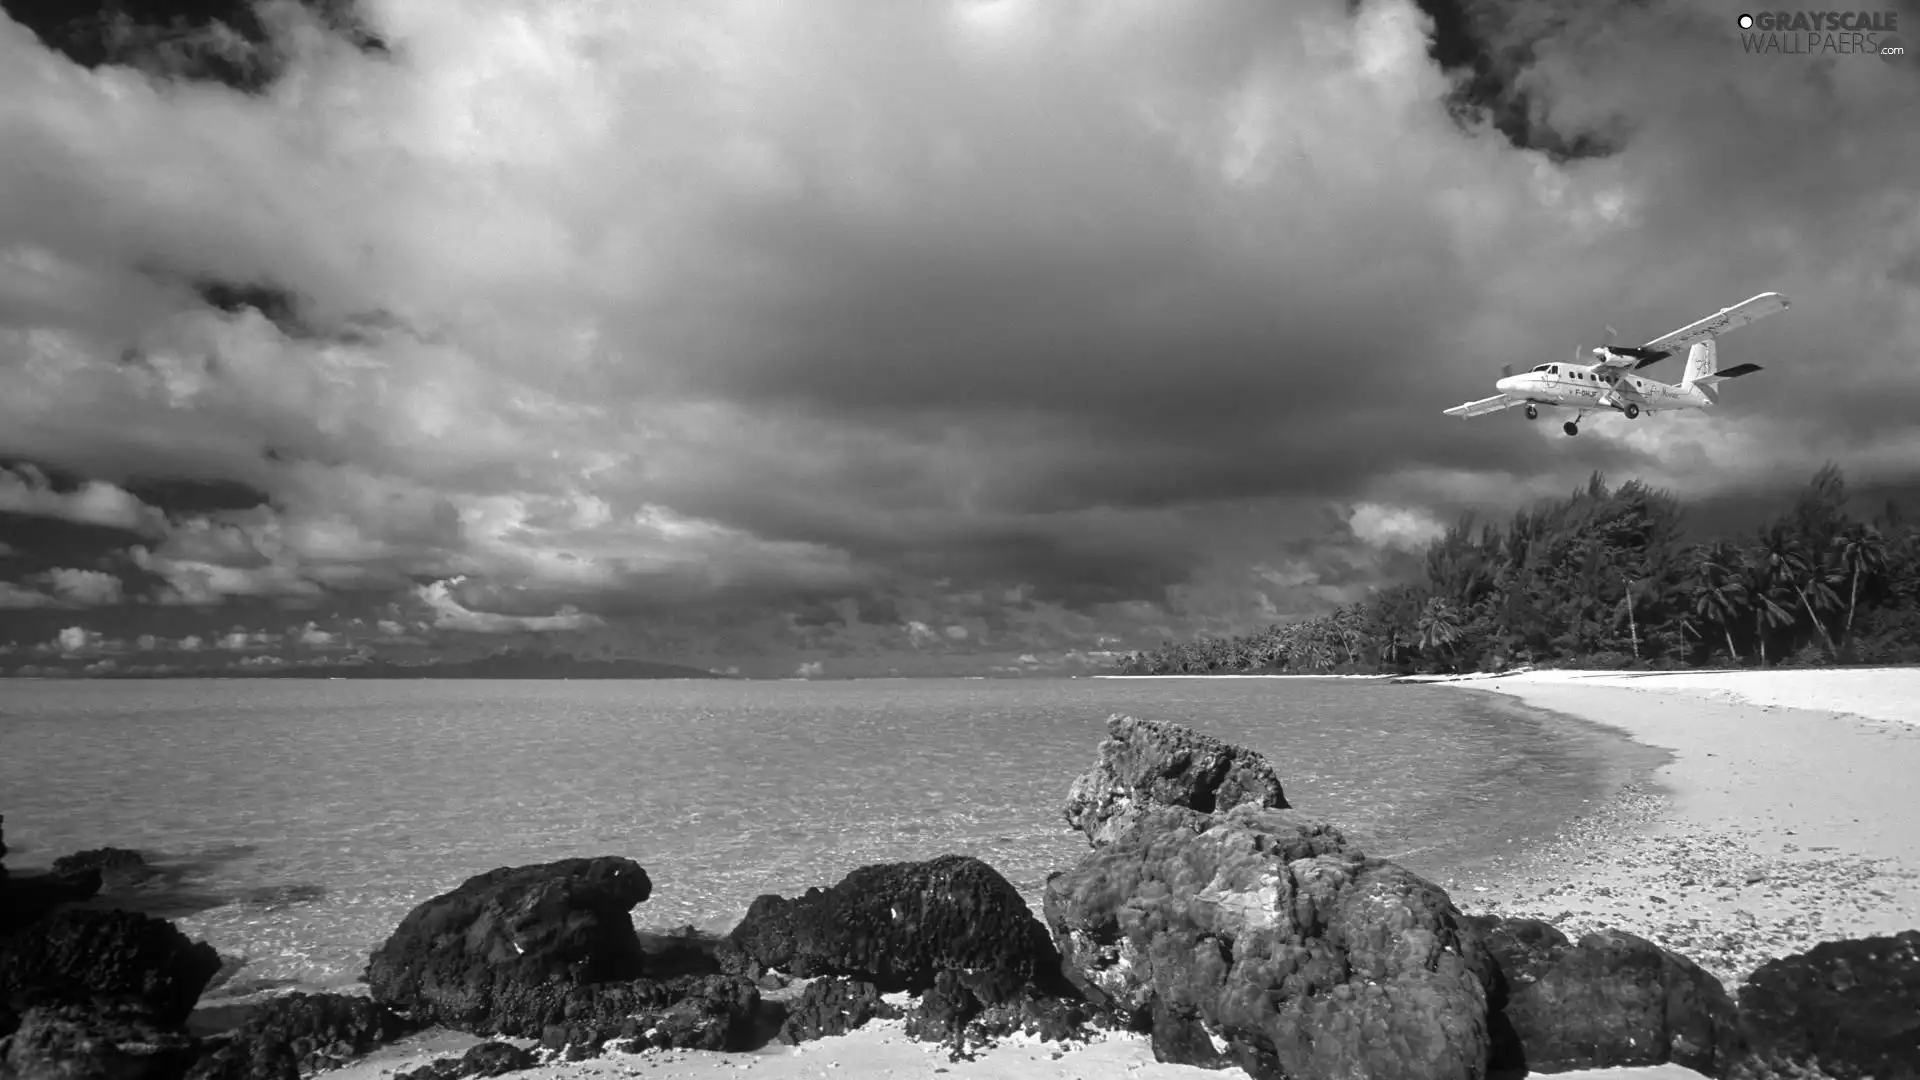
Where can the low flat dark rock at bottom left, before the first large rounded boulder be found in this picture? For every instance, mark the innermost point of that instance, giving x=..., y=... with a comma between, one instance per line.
x=318, y=1031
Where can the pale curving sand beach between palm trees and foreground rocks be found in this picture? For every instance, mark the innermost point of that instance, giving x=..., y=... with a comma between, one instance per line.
x=1765, y=831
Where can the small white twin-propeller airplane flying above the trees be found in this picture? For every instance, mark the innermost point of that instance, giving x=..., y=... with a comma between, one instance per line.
x=1608, y=381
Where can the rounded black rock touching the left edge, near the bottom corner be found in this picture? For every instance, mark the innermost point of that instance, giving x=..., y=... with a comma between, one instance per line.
x=108, y=956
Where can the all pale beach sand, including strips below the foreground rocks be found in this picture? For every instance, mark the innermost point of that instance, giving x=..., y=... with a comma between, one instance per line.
x=1785, y=816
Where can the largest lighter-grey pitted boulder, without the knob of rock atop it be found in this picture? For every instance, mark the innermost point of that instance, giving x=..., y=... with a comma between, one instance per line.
x=1276, y=946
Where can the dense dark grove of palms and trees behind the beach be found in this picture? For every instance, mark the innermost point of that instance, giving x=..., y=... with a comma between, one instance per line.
x=1606, y=579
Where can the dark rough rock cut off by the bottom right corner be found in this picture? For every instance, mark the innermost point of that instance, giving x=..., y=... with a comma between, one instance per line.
x=1850, y=1010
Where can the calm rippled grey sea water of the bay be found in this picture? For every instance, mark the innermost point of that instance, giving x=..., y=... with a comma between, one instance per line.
x=304, y=820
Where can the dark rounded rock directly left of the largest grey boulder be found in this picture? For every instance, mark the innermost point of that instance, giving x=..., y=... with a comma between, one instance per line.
x=900, y=925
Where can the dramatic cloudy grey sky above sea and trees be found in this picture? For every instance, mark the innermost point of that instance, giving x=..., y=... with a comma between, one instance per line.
x=863, y=337
